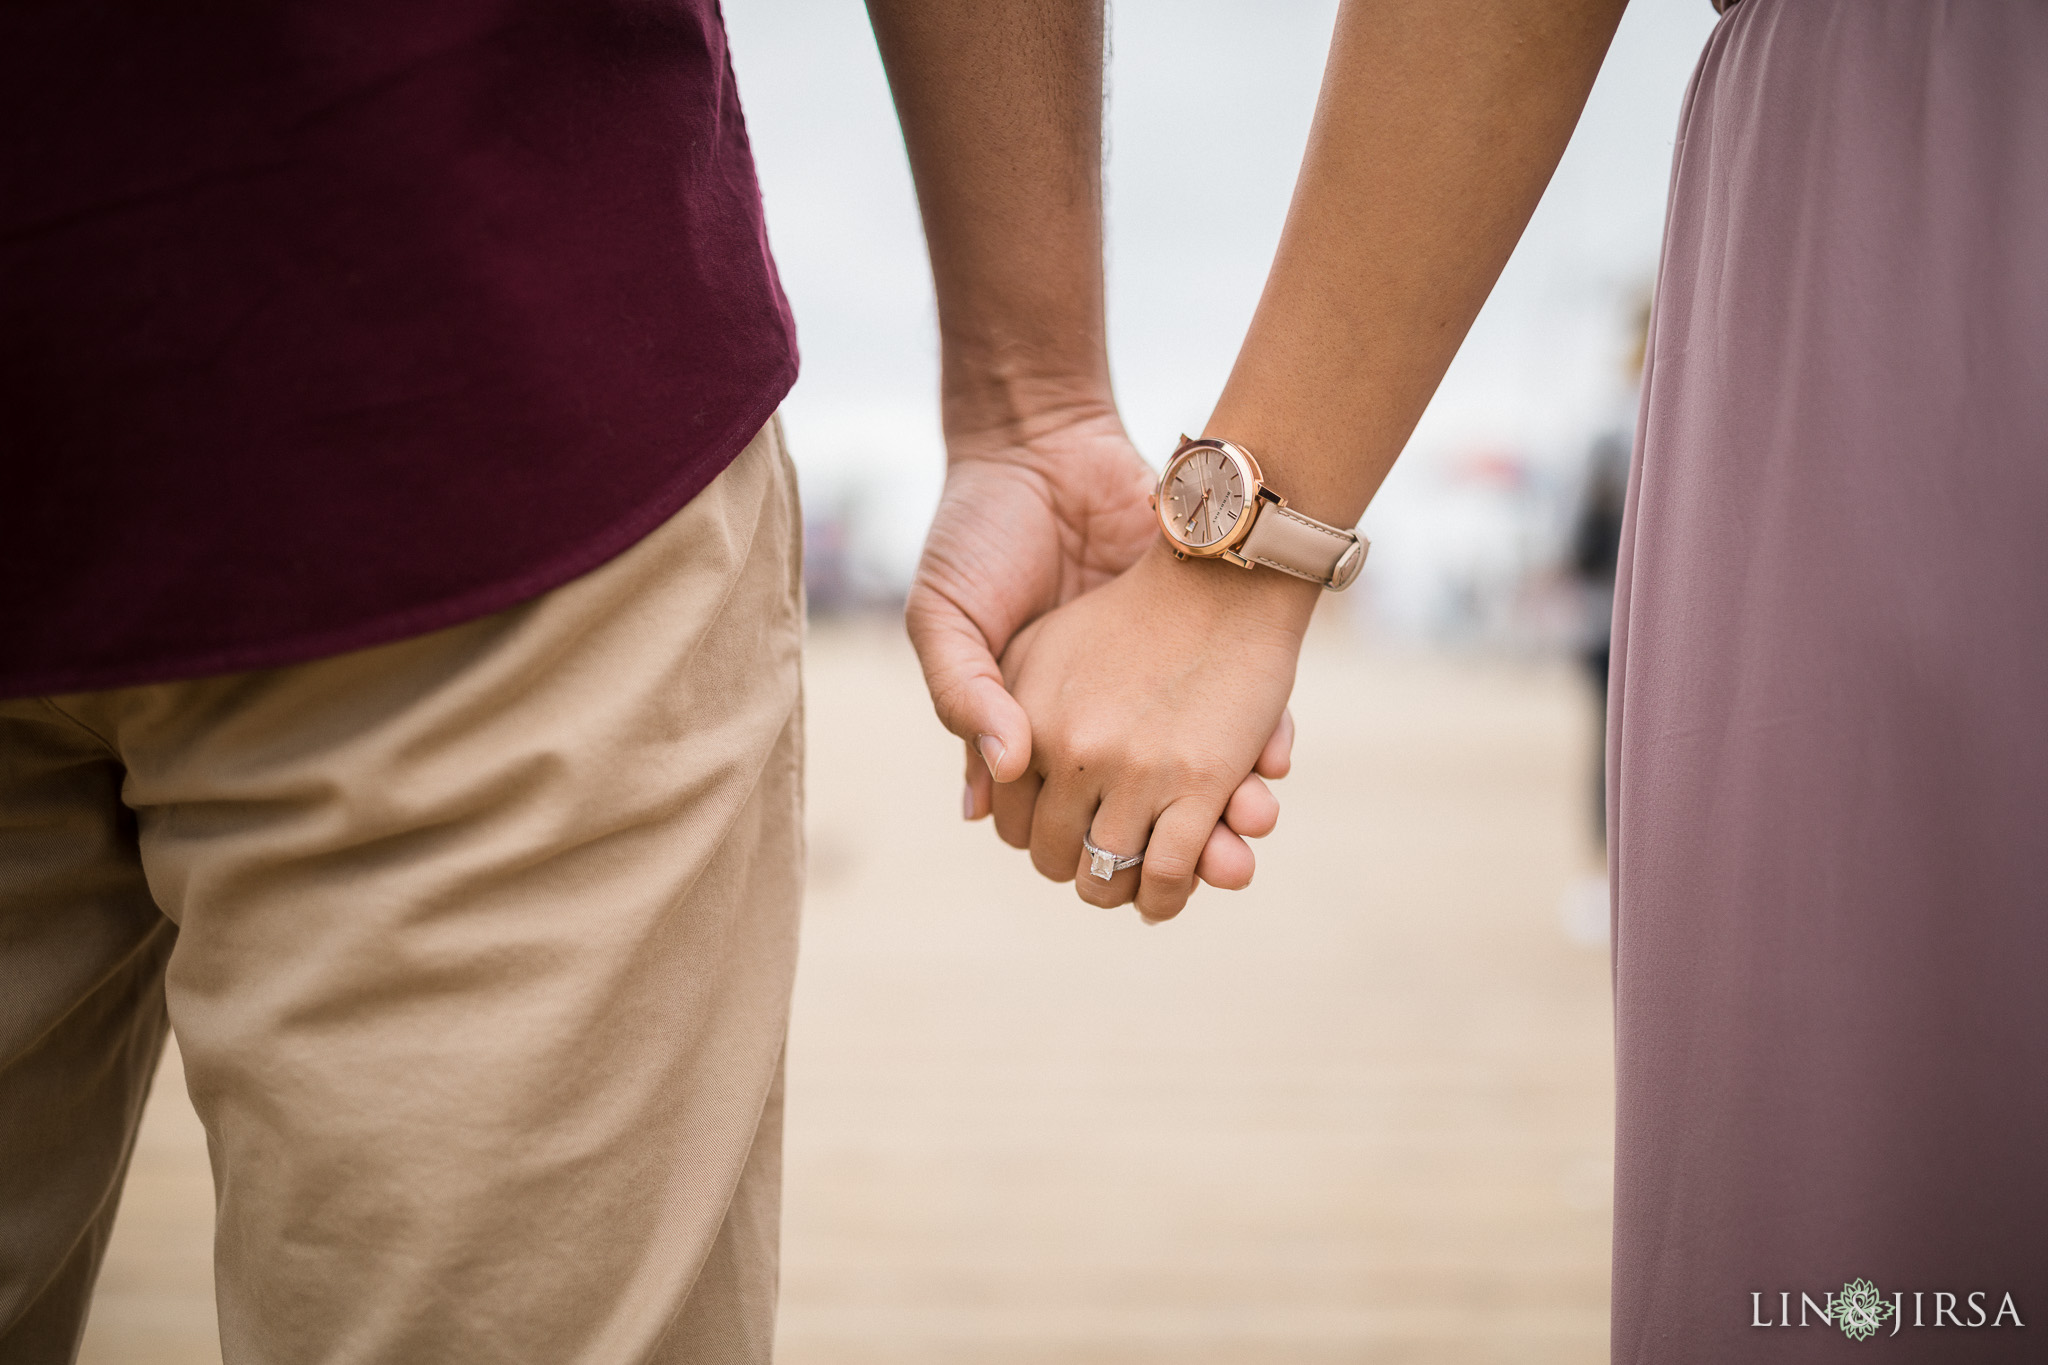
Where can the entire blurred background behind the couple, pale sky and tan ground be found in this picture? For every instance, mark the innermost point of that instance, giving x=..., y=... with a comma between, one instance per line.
x=1361, y=1112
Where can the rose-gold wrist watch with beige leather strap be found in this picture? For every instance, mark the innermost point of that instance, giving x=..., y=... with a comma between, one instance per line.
x=1213, y=504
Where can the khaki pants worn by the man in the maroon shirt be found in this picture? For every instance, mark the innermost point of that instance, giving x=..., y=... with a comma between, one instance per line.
x=478, y=949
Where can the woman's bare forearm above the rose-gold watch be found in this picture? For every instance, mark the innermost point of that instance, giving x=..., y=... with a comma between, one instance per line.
x=1435, y=136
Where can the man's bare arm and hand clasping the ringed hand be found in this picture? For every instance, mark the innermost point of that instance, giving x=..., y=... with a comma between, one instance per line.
x=1046, y=498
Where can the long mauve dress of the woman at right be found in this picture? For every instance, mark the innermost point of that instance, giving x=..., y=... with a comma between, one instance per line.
x=1830, y=723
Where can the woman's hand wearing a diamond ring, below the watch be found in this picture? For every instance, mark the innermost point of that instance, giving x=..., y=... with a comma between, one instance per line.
x=1152, y=701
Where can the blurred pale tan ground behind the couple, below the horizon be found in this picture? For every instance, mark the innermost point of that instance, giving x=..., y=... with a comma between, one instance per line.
x=1361, y=1112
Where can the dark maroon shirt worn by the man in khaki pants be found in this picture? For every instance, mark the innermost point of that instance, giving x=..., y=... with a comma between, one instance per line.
x=331, y=322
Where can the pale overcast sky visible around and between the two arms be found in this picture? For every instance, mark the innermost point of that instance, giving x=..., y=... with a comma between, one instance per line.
x=1209, y=114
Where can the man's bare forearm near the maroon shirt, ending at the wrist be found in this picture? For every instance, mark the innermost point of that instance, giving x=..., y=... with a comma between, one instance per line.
x=1002, y=118
